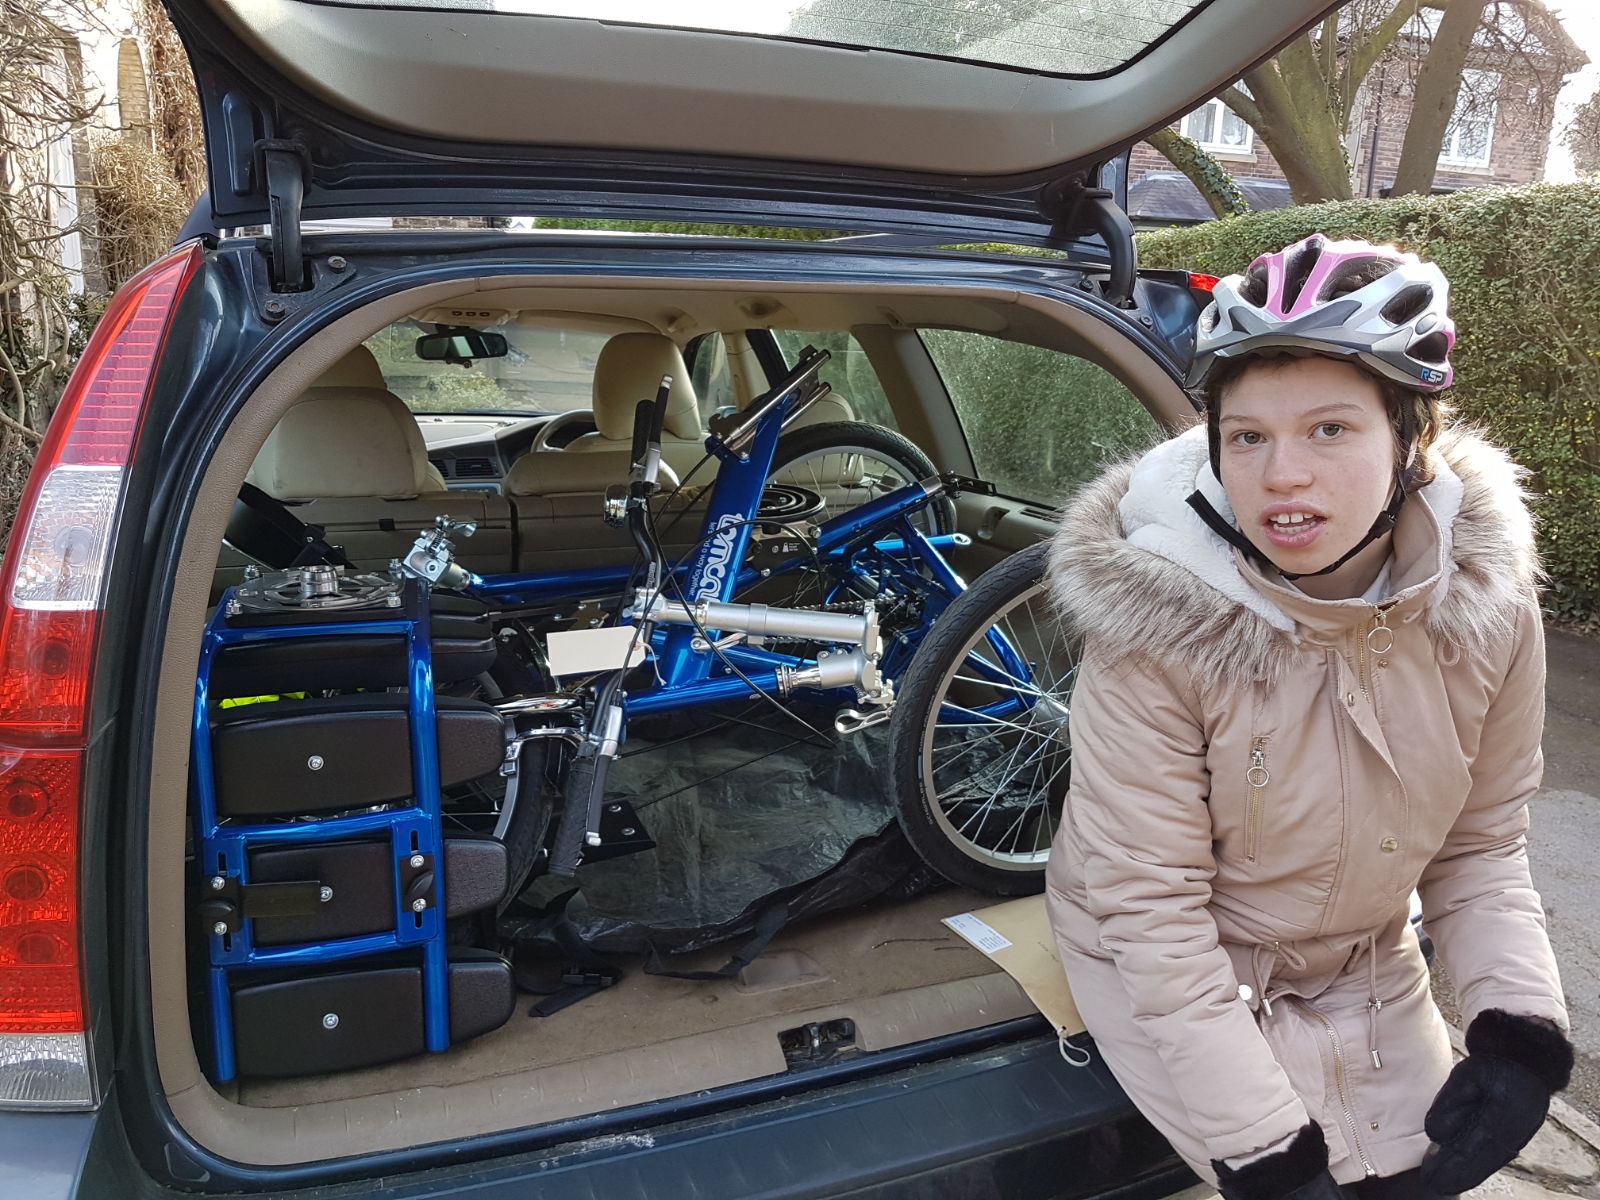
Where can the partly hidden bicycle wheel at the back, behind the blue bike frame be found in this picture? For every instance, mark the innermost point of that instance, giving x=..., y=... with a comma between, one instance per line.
x=850, y=463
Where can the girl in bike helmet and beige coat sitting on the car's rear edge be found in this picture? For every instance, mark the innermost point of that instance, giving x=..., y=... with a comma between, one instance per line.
x=1313, y=682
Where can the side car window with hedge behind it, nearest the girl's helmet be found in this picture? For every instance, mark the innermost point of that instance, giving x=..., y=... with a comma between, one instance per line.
x=1039, y=422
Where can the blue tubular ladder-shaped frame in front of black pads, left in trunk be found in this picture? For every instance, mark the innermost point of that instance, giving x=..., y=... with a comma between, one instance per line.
x=415, y=830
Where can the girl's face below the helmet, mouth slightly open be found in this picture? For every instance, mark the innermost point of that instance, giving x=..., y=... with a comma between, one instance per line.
x=1308, y=465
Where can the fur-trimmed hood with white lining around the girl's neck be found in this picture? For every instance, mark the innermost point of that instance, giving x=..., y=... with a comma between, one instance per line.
x=1137, y=570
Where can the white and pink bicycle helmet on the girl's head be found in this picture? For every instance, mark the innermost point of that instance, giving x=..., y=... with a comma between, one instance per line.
x=1380, y=306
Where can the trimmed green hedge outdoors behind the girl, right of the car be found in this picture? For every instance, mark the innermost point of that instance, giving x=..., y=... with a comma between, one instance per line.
x=1524, y=268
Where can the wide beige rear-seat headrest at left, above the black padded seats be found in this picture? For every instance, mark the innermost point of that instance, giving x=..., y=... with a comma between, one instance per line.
x=343, y=442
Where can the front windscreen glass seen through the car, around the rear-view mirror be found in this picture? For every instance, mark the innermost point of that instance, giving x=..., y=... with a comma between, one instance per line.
x=543, y=372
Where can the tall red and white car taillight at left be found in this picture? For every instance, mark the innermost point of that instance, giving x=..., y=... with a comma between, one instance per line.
x=52, y=596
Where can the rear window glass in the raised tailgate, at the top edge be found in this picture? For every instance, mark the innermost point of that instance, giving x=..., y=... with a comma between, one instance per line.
x=1074, y=38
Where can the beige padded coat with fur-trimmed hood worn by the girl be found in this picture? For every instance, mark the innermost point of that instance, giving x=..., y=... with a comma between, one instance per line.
x=1262, y=780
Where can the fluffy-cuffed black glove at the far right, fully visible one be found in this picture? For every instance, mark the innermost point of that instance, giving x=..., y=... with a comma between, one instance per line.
x=1495, y=1100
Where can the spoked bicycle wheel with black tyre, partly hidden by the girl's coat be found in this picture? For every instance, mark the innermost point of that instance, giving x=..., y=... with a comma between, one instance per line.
x=980, y=758
